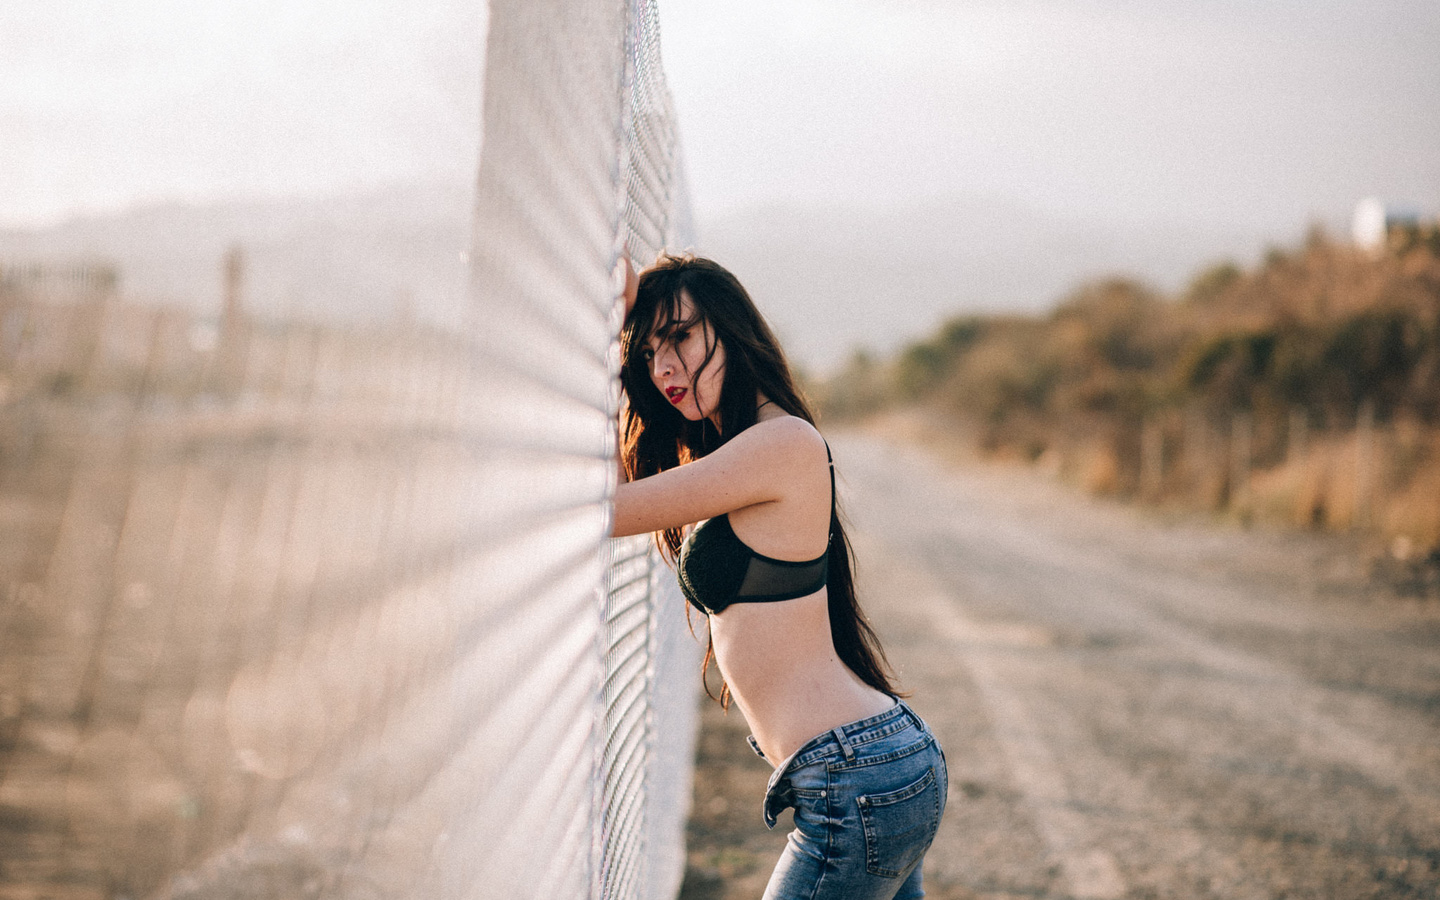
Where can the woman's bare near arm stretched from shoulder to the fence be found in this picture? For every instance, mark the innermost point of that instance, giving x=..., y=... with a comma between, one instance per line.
x=758, y=466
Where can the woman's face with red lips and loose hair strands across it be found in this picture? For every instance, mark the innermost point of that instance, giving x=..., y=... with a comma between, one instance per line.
x=676, y=352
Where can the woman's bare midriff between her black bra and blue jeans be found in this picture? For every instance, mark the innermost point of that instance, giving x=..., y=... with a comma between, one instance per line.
x=786, y=676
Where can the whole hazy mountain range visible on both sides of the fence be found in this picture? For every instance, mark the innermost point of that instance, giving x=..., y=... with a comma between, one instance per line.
x=832, y=279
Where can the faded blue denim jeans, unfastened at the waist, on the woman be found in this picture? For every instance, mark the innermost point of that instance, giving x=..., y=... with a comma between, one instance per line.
x=868, y=801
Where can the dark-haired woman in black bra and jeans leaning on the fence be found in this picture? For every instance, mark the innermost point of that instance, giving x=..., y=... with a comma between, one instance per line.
x=718, y=434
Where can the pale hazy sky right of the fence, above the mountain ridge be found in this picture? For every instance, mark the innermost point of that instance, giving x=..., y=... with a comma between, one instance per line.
x=1274, y=112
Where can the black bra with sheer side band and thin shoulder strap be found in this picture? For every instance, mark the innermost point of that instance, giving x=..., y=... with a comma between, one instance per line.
x=718, y=570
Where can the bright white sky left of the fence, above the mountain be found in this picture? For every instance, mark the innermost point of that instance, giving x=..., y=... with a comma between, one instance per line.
x=107, y=104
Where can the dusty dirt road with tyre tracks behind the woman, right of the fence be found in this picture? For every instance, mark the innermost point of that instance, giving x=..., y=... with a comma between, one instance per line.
x=1133, y=708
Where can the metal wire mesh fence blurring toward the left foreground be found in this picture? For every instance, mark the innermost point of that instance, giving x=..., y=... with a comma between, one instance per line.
x=310, y=606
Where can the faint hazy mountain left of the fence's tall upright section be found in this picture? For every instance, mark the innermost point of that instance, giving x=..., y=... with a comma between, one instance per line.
x=358, y=257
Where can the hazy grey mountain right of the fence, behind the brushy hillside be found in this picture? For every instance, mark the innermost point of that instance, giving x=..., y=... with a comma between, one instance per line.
x=837, y=279
